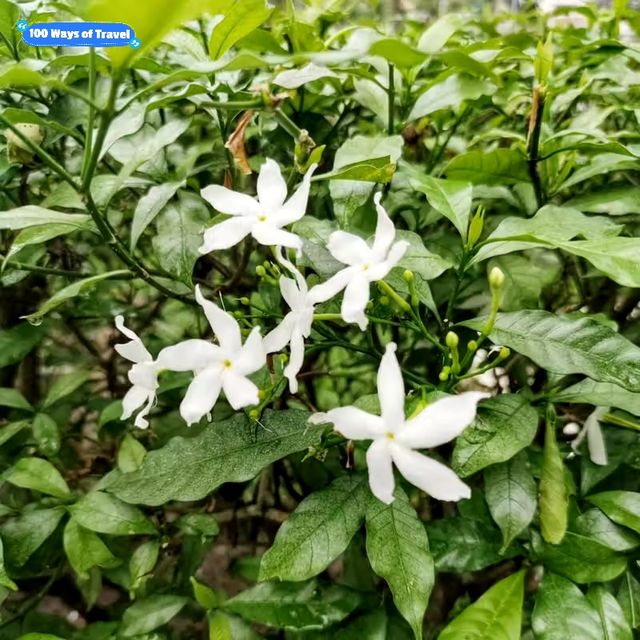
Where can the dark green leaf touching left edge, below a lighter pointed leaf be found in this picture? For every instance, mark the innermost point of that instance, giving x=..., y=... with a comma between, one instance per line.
x=24, y=535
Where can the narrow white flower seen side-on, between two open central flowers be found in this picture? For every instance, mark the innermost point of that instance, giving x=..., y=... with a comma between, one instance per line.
x=296, y=325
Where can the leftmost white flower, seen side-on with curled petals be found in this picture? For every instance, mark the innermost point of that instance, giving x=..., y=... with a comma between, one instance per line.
x=143, y=375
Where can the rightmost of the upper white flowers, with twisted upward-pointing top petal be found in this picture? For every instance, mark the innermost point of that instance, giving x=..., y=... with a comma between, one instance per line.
x=366, y=264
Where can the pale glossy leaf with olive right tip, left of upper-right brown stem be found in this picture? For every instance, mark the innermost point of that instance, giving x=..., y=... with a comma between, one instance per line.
x=449, y=93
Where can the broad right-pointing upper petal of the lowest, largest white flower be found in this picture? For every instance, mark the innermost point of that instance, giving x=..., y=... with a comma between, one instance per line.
x=441, y=421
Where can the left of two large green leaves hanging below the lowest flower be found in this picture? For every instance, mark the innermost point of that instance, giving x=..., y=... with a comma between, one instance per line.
x=317, y=532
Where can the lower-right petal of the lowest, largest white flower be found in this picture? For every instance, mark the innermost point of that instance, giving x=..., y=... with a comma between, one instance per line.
x=432, y=477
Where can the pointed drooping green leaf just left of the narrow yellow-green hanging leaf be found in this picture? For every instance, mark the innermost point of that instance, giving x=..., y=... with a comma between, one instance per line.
x=511, y=493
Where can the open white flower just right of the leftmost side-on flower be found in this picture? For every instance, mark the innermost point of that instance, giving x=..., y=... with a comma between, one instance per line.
x=224, y=366
